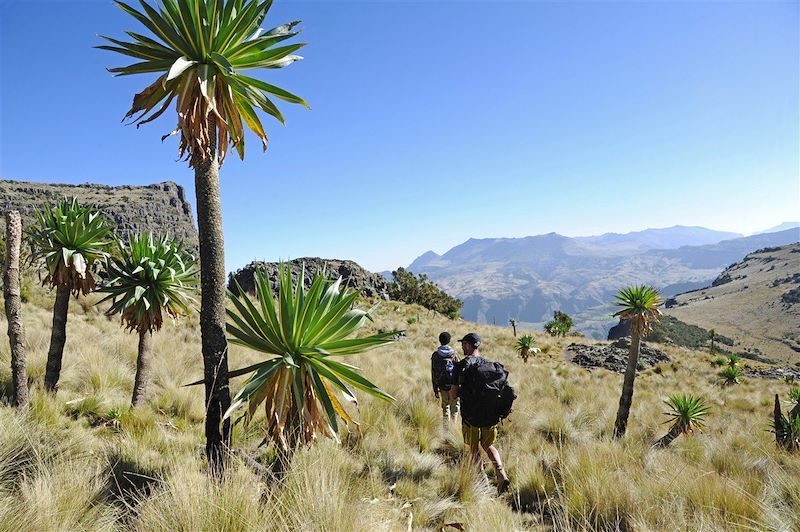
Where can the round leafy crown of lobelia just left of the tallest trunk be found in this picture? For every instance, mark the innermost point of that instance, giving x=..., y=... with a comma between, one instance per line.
x=149, y=275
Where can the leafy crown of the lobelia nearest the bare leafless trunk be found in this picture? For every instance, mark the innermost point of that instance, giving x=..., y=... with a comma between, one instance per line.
x=67, y=241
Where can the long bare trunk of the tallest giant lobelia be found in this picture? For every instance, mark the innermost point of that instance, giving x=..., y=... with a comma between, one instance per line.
x=212, y=306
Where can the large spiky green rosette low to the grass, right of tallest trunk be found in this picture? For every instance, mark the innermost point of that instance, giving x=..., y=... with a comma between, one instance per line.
x=302, y=331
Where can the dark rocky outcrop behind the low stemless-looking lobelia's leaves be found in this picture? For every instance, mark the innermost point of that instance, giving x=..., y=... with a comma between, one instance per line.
x=368, y=283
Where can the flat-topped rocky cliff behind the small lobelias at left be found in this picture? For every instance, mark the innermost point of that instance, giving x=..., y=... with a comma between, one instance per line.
x=161, y=208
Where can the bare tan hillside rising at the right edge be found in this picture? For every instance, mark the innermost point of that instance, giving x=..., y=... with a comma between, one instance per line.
x=755, y=301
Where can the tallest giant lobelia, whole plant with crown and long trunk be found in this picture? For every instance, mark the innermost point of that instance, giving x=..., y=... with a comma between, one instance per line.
x=199, y=50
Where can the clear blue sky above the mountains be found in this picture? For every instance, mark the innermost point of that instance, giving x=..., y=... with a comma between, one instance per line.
x=433, y=122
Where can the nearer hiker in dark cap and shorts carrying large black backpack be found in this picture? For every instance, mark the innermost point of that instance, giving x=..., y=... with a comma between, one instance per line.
x=474, y=379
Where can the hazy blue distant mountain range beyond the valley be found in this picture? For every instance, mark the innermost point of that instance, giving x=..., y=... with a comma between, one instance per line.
x=528, y=278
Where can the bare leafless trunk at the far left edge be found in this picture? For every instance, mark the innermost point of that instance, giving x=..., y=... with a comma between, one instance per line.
x=13, y=303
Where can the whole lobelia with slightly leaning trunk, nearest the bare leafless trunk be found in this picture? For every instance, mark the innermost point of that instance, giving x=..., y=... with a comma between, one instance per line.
x=67, y=242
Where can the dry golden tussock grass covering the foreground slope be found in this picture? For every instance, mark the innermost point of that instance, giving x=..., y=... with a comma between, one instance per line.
x=73, y=462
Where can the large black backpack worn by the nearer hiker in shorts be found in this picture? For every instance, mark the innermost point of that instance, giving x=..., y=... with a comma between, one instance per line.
x=486, y=395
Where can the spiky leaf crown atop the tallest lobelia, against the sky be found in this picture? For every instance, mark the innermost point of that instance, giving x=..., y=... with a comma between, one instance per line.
x=200, y=48
